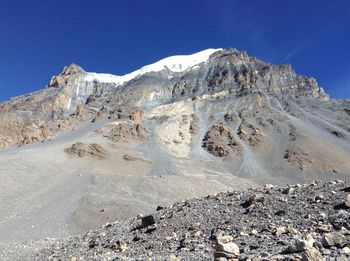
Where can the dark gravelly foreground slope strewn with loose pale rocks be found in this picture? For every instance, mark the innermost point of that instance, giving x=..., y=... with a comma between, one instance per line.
x=297, y=222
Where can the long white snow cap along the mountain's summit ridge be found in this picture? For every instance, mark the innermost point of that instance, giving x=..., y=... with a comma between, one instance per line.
x=177, y=63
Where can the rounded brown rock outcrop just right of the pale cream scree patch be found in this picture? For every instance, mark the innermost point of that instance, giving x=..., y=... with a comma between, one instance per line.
x=220, y=142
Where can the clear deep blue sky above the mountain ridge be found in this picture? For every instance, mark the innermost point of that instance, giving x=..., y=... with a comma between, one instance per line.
x=39, y=37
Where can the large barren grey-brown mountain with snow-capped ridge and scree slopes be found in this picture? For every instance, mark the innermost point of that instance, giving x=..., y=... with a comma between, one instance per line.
x=90, y=148
